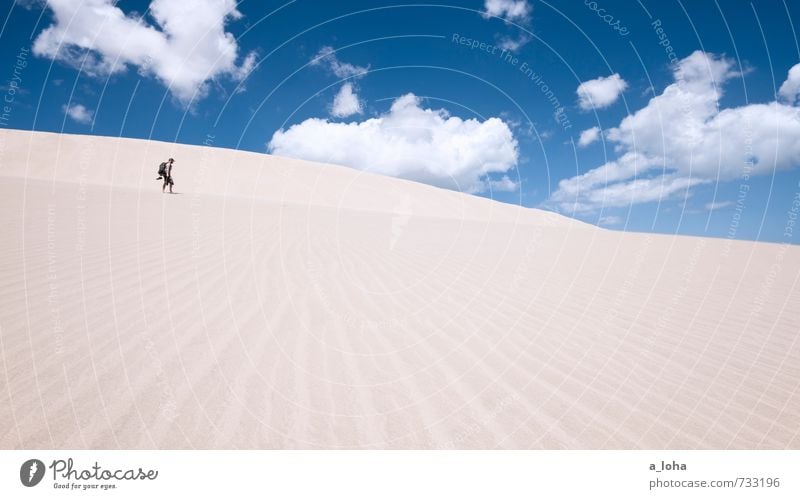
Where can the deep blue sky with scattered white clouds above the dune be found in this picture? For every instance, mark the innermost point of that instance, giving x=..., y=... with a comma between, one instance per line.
x=693, y=102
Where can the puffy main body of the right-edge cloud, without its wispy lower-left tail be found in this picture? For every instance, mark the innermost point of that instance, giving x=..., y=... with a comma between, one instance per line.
x=685, y=126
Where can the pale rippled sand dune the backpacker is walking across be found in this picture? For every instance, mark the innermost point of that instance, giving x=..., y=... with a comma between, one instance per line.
x=275, y=303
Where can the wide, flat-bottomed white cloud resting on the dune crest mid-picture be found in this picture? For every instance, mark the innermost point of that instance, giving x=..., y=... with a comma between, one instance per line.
x=408, y=141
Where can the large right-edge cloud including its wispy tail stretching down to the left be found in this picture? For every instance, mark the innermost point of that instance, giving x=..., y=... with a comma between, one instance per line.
x=681, y=139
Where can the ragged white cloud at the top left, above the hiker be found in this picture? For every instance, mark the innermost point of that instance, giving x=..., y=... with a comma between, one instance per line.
x=186, y=48
